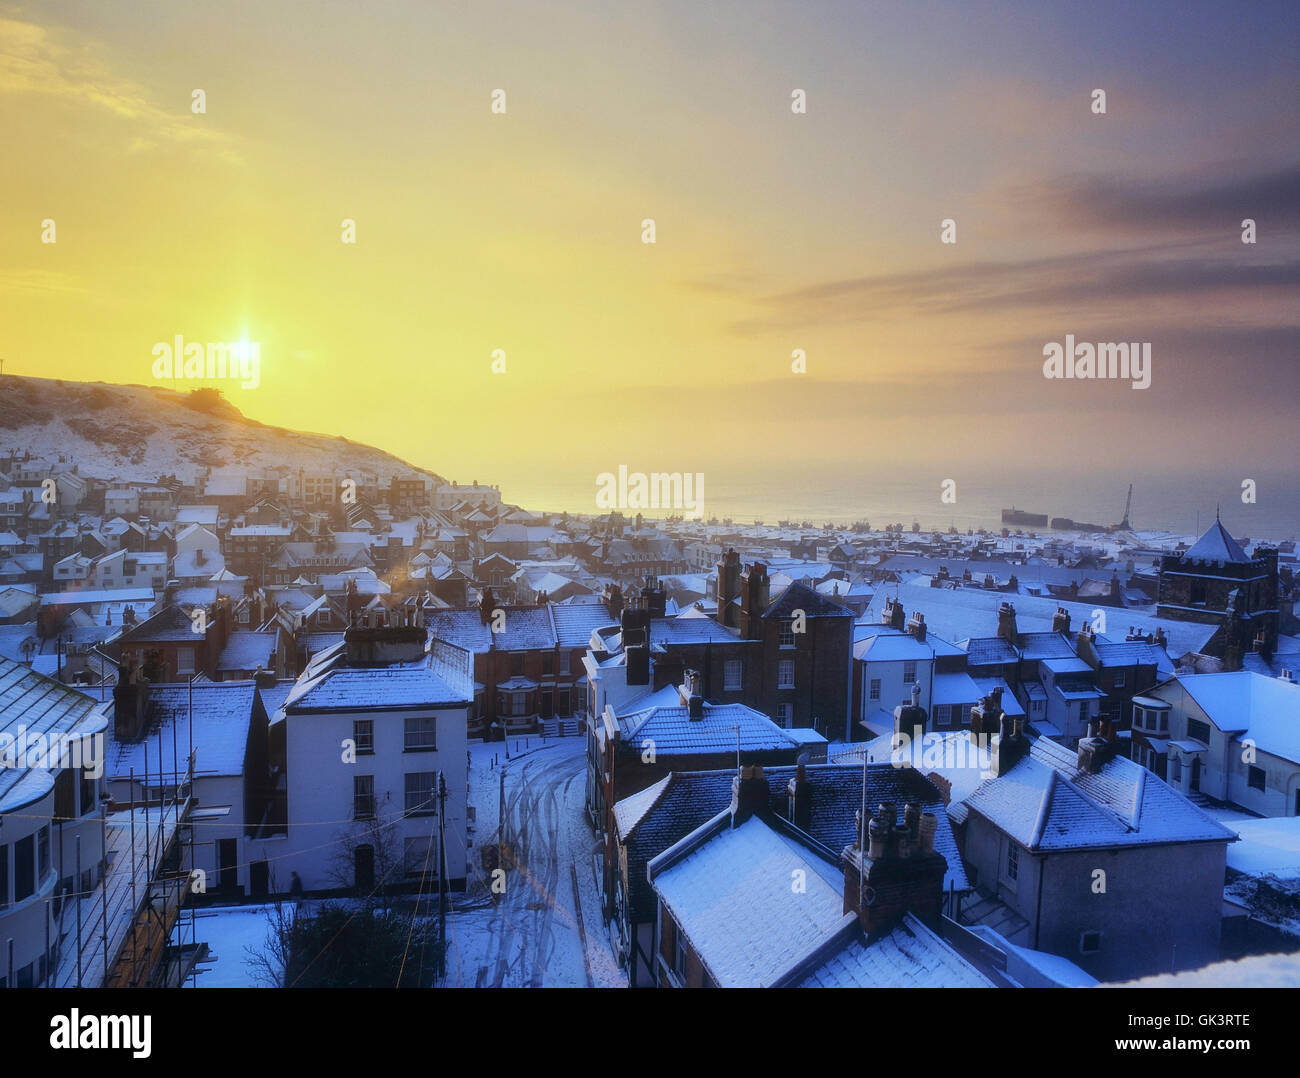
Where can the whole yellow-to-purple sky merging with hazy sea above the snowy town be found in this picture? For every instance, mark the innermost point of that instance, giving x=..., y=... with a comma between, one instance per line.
x=775, y=231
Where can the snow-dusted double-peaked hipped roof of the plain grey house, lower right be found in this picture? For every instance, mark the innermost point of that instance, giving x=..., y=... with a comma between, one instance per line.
x=1045, y=803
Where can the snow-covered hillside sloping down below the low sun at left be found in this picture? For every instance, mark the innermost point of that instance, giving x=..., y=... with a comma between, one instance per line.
x=133, y=432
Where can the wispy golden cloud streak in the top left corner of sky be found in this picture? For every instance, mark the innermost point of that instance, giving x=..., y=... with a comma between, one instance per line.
x=54, y=64
